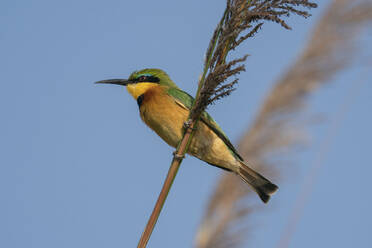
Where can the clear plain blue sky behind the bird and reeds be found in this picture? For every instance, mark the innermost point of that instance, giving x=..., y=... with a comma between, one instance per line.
x=78, y=168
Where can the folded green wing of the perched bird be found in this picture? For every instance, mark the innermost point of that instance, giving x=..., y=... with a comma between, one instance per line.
x=185, y=101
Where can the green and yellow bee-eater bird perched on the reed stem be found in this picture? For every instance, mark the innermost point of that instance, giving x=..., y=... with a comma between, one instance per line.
x=165, y=108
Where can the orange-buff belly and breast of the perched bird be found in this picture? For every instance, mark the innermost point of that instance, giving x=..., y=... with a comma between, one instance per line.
x=167, y=121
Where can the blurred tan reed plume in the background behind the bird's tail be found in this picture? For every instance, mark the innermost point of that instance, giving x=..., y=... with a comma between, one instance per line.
x=331, y=49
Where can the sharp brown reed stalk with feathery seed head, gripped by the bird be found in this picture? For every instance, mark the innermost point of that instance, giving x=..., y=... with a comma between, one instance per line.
x=241, y=20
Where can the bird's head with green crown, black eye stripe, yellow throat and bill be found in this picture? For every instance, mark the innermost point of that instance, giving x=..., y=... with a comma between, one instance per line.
x=140, y=81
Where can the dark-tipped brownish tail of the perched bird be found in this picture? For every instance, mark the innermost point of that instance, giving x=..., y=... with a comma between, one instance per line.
x=261, y=185
